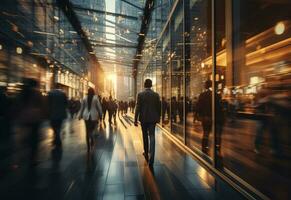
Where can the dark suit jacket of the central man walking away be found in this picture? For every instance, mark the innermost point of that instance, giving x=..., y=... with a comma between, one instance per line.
x=148, y=107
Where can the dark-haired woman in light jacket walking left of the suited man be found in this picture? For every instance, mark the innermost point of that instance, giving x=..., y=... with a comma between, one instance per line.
x=91, y=112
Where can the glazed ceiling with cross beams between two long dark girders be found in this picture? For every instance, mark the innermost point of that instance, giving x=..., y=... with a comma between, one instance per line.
x=112, y=28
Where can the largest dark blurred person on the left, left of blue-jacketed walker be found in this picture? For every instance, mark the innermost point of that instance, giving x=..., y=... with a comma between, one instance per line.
x=31, y=106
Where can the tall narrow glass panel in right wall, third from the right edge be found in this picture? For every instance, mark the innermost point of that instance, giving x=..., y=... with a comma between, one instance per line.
x=177, y=98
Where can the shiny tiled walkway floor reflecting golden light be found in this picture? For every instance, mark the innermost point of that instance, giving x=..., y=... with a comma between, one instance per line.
x=115, y=170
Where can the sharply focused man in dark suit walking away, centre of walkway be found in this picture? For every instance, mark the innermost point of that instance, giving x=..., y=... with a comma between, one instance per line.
x=148, y=111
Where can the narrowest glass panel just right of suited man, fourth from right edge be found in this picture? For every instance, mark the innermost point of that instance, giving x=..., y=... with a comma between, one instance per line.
x=166, y=81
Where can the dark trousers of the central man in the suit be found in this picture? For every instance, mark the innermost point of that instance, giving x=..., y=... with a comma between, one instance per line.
x=148, y=130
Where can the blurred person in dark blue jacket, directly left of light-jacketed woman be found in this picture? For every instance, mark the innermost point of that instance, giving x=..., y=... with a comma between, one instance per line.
x=58, y=104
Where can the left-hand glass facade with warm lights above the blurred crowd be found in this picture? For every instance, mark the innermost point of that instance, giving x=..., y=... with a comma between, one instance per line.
x=38, y=41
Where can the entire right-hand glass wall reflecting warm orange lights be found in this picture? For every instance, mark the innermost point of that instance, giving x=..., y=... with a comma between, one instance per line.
x=233, y=110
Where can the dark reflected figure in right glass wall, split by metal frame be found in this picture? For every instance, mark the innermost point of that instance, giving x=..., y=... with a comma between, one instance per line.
x=204, y=112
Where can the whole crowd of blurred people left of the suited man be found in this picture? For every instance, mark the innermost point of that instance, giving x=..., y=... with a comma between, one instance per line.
x=30, y=108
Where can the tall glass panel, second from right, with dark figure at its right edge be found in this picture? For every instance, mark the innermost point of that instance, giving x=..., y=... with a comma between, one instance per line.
x=198, y=68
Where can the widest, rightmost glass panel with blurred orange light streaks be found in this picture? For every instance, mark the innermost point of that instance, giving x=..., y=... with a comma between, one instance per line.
x=253, y=79
